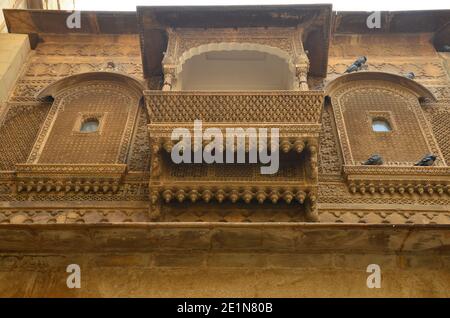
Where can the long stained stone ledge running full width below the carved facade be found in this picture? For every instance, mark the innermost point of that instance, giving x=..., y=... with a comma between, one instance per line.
x=226, y=237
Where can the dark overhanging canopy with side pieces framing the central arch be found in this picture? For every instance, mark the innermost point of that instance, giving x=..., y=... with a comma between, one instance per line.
x=155, y=21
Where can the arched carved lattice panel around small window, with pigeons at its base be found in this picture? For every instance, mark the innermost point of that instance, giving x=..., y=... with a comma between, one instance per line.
x=354, y=106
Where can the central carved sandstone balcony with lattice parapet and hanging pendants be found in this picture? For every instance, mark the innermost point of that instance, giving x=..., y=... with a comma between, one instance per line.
x=297, y=116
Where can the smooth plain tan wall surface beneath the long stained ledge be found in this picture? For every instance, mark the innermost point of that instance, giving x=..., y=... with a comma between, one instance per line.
x=224, y=275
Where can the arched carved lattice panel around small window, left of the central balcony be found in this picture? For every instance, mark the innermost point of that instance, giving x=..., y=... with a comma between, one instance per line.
x=57, y=142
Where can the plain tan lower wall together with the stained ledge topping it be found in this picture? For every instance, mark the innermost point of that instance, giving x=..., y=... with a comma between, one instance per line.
x=224, y=260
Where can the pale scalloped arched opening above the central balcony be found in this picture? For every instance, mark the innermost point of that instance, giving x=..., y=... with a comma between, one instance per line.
x=235, y=67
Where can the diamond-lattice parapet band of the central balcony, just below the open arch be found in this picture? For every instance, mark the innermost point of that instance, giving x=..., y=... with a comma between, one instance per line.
x=245, y=107
